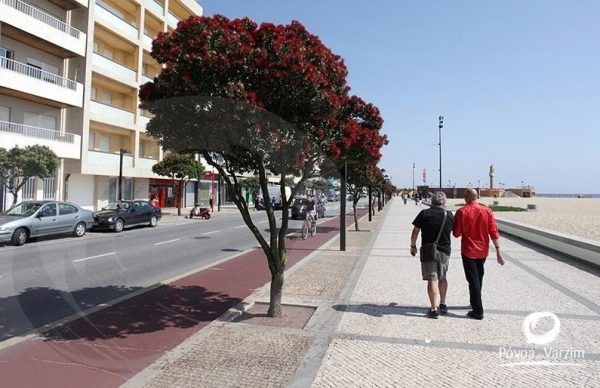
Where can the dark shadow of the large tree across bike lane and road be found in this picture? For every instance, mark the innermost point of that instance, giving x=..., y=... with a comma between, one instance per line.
x=163, y=307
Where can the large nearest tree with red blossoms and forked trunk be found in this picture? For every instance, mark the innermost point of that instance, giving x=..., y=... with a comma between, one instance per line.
x=261, y=99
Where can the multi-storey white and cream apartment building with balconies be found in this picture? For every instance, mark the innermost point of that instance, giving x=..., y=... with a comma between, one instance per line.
x=70, y=72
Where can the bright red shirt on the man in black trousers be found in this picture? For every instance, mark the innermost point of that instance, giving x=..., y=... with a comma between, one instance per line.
x=476, y=224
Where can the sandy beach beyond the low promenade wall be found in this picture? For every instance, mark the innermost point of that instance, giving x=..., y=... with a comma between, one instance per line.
x=574, y=216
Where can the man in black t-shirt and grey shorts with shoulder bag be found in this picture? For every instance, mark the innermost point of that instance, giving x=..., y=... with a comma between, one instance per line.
x=430, y=222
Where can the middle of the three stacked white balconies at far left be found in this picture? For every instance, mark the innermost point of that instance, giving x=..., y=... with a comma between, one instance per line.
x=31, y=81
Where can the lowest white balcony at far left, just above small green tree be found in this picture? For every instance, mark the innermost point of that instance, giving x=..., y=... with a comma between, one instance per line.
x=64, y=145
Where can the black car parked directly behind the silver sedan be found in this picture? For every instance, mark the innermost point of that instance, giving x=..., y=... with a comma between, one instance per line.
x=123, y=214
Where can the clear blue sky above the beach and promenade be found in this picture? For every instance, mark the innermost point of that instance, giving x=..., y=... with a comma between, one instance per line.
x=518, y=83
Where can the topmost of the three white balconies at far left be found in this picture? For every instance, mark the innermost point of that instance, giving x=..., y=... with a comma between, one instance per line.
x=43, y=26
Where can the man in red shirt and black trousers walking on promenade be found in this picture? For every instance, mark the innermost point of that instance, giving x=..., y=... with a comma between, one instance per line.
x=476, y=224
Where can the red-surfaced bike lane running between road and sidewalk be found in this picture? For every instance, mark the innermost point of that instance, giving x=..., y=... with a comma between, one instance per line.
x=107, y=348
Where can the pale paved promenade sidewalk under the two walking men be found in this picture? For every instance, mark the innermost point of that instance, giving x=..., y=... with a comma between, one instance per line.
x=369, y=327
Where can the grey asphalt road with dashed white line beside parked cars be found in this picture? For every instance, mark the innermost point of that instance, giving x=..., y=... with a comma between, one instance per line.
x=44, y=281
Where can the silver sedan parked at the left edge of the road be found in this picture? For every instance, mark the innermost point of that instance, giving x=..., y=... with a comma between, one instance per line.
x=43, y=218
